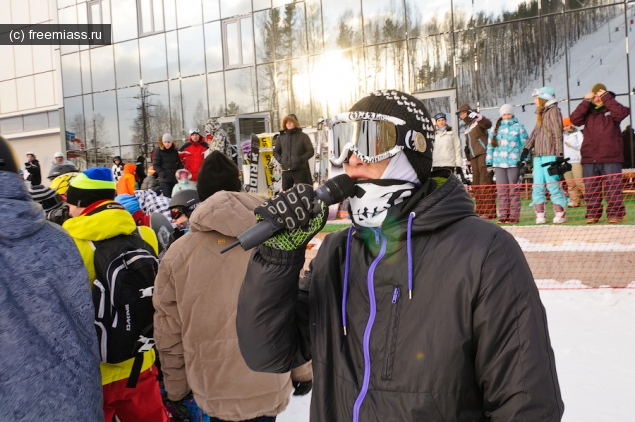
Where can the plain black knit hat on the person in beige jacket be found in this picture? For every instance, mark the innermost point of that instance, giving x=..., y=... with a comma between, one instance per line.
x=217, y=173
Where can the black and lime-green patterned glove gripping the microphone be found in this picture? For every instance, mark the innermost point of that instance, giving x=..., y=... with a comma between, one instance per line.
x=296, y=215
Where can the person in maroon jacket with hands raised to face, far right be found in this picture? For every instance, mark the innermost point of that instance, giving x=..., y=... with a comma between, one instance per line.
x=602, y=153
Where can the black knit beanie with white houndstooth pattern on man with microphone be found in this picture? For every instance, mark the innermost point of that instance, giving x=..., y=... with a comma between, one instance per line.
x=418, y=138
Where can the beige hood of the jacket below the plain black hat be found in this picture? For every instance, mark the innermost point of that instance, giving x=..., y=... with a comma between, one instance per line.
x=212, y=214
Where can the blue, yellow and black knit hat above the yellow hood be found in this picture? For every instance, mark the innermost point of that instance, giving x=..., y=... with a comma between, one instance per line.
x=90, y=186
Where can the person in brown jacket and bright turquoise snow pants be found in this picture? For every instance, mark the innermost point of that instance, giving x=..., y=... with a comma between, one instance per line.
x=546, y=141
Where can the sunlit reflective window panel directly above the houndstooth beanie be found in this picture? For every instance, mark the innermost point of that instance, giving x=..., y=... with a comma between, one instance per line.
x=387, y=66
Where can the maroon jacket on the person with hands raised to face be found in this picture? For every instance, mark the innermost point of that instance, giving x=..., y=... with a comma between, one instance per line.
x=602, y=135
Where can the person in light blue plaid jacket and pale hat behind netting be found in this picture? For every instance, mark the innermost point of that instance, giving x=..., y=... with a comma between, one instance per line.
x=504, y=147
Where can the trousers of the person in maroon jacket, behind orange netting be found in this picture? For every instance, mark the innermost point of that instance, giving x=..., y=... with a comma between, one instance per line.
x=613, y=187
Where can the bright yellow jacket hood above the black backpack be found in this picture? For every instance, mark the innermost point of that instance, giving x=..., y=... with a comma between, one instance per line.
x=101, y=225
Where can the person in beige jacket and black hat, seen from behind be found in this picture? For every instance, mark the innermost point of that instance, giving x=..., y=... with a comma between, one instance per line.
x=195, y=298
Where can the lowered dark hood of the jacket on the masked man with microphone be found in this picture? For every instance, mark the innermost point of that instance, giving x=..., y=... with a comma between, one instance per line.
x=426, y=204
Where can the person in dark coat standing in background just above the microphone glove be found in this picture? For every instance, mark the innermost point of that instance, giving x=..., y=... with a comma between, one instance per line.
x=293, y=150
